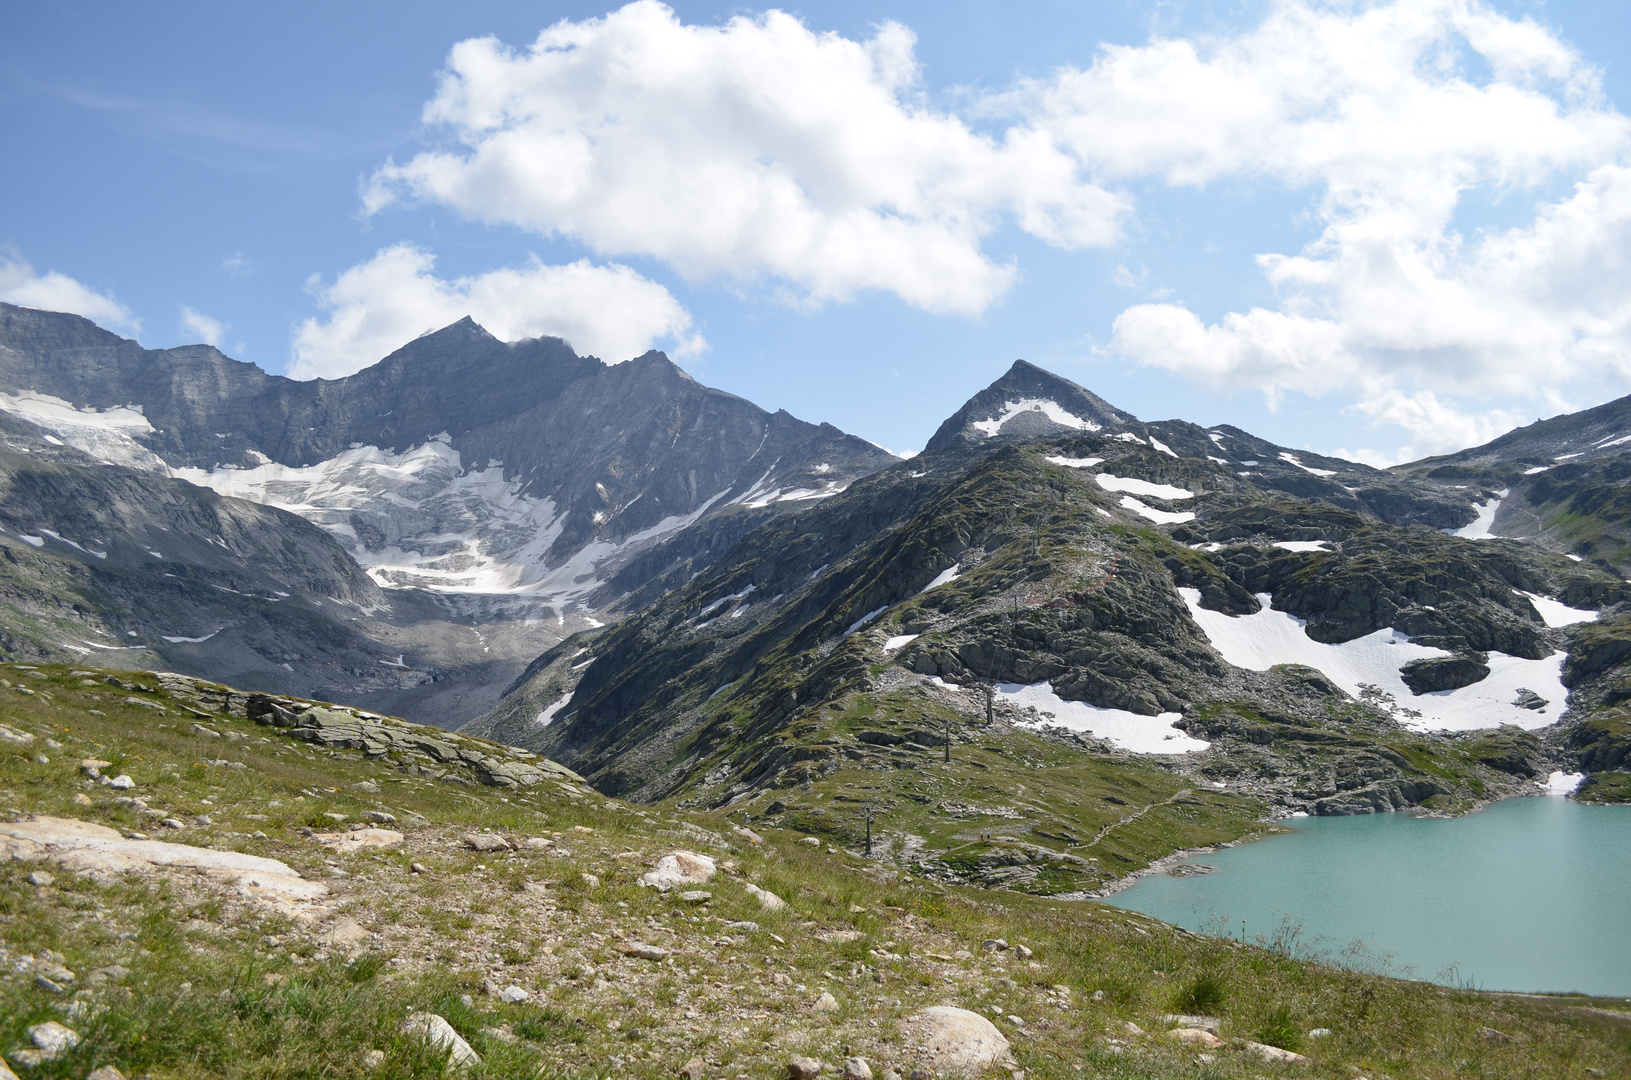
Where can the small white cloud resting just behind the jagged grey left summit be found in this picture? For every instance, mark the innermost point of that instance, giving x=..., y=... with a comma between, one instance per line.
x=379, y=306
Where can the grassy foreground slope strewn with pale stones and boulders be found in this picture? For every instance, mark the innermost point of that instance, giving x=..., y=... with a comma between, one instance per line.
x=195, y=893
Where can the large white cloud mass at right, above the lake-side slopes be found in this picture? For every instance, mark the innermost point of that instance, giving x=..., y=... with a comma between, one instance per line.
x=1394, y=115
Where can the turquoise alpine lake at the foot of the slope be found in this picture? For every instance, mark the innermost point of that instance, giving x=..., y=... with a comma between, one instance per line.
x=1527, y=895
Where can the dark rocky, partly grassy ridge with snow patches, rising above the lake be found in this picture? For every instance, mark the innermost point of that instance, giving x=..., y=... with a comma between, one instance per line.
x=1159, y=595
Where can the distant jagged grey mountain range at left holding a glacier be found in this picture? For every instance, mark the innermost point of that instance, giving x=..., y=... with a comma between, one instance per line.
x=497, y=495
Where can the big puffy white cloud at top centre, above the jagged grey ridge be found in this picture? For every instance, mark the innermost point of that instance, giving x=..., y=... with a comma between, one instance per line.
x=751, y=151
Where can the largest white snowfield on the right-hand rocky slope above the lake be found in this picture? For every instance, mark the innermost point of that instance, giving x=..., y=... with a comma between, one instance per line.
x=1268, y=639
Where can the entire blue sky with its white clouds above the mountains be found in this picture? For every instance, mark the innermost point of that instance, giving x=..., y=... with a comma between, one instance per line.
x=1382, y=229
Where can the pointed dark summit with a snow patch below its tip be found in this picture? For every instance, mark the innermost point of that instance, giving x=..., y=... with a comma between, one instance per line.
x=1028, y=402
